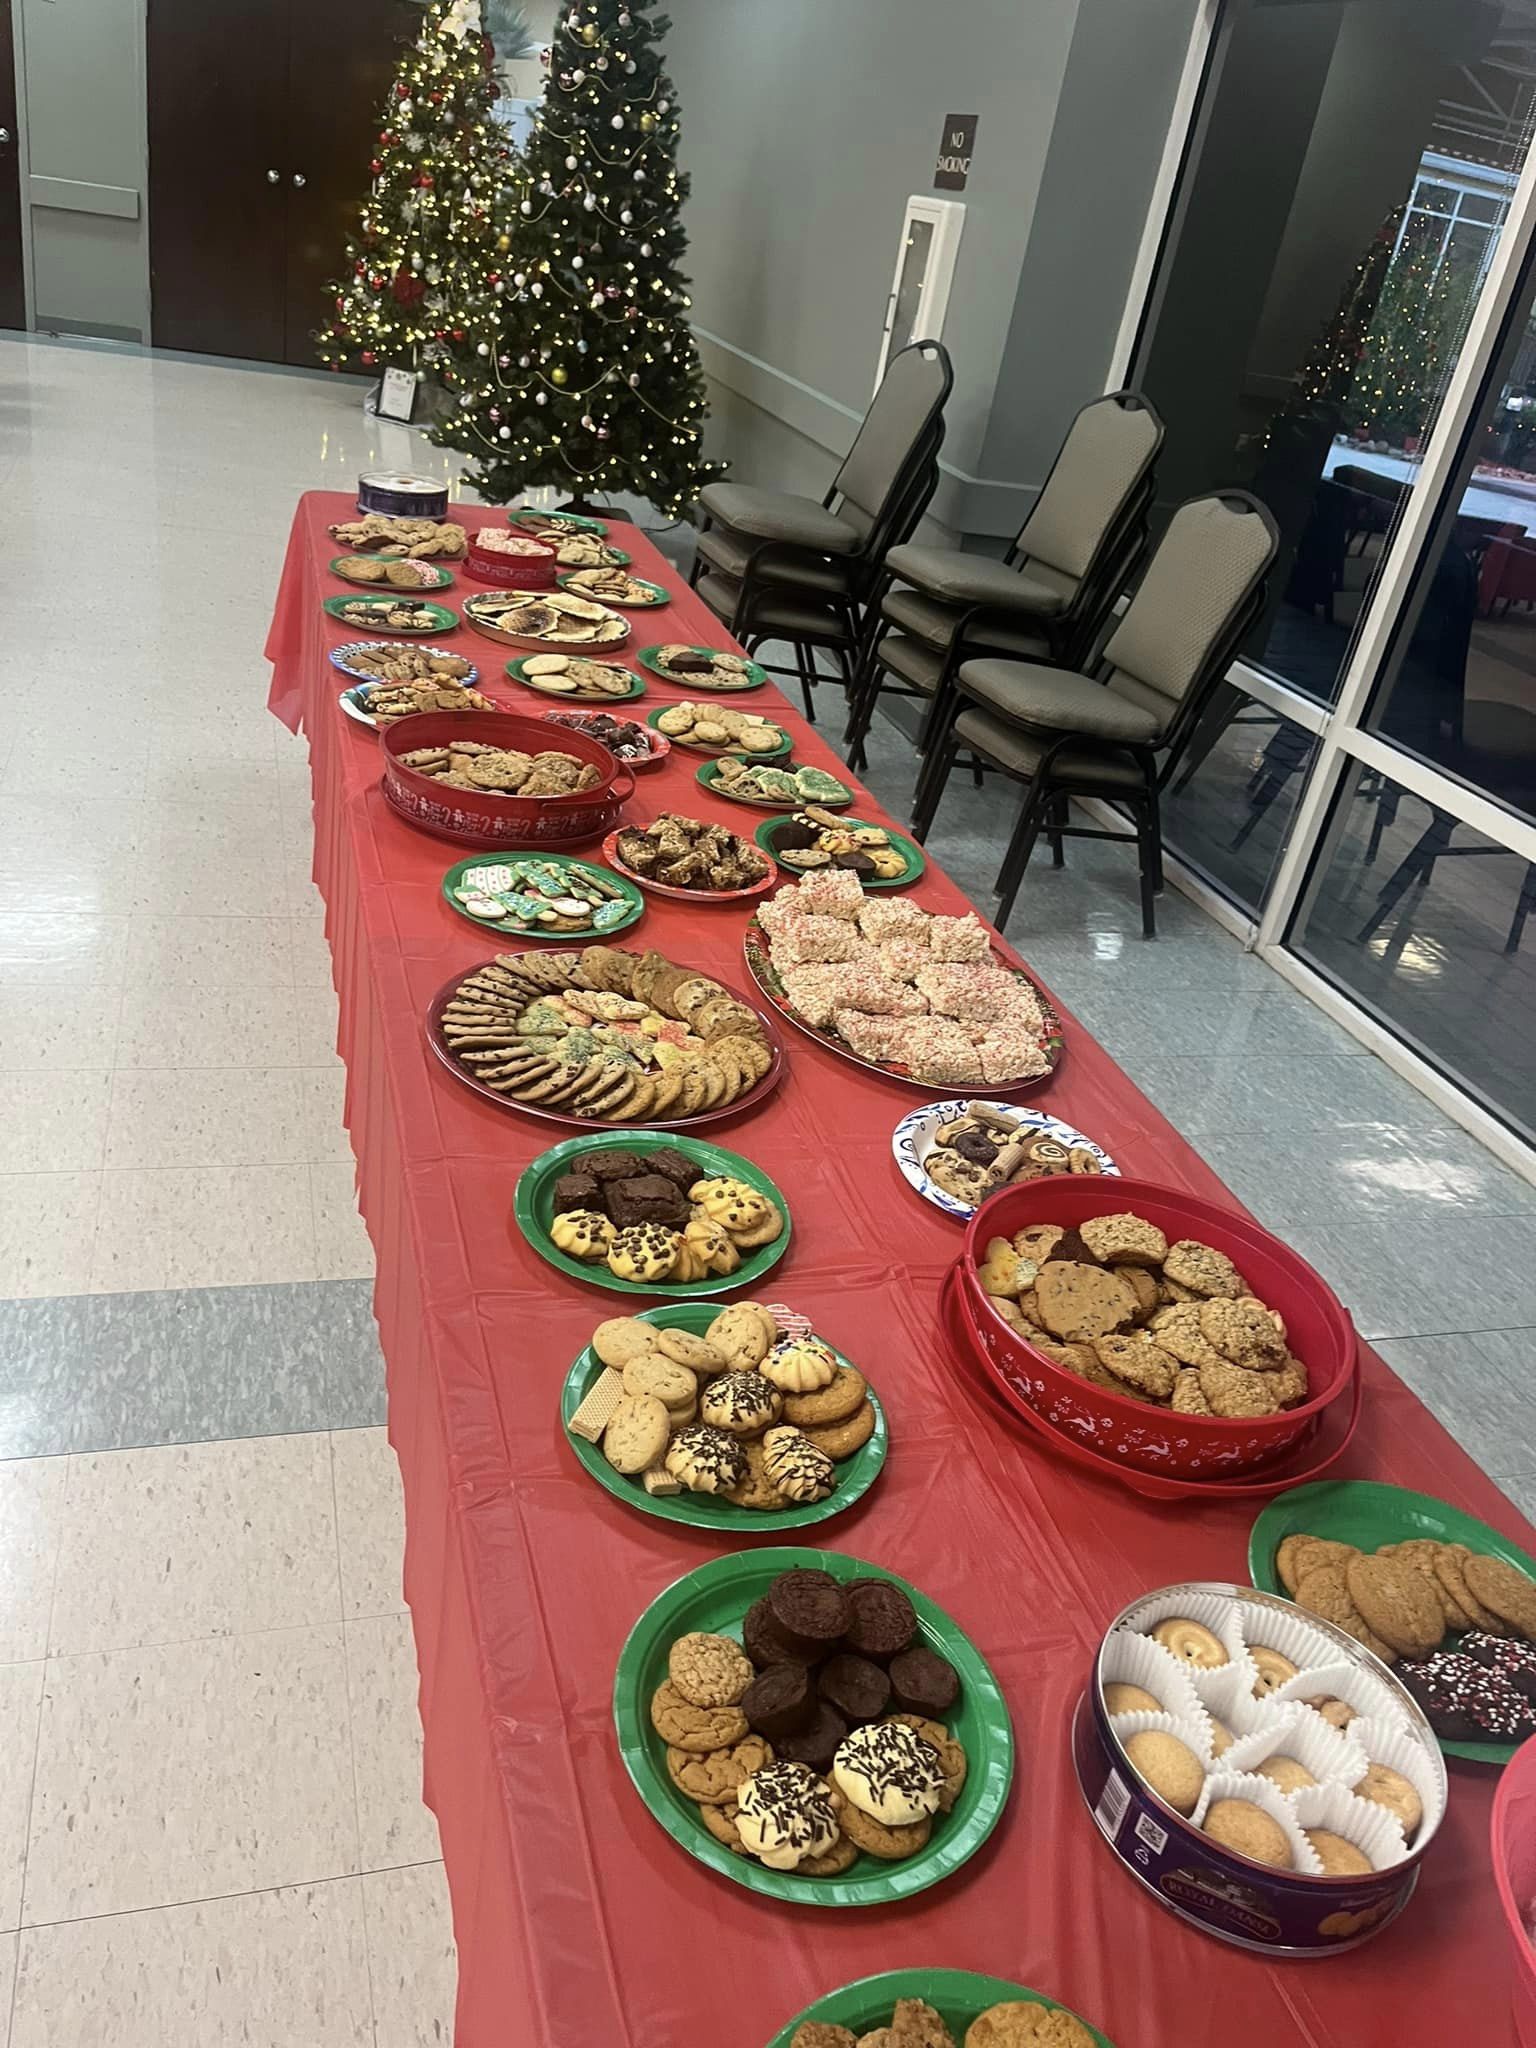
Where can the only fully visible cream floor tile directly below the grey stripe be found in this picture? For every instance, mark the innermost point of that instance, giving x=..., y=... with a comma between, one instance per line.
x=196, y=1541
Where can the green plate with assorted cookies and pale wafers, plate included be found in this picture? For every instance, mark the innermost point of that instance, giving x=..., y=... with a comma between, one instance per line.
x=769, y=1474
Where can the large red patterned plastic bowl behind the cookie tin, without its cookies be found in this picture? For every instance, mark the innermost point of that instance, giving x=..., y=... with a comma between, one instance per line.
x=1127, y=1433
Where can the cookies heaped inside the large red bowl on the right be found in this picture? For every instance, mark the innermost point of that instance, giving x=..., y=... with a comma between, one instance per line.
x=1175, y=1326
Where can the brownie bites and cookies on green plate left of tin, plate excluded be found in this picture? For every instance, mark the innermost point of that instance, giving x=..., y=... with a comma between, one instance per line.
x=777, y=1768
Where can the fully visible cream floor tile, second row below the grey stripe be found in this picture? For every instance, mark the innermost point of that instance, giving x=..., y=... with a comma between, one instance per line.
x=189, y=1773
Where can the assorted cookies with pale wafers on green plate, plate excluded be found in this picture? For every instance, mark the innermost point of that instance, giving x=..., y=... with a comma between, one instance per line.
x=759, y=1410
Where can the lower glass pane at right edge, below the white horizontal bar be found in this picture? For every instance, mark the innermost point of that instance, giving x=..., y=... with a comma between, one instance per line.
x=1433, y=929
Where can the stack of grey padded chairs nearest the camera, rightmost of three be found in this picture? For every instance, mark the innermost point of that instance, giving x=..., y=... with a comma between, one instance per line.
x=1119, y=732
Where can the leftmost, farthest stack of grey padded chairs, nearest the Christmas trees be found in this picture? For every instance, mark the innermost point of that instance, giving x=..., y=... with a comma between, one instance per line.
x=775, y=566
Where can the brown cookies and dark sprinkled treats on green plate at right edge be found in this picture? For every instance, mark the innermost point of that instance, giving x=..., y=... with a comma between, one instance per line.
x=1406, y=1598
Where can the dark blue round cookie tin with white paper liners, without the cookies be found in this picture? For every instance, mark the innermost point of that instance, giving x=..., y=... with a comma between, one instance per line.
x=1228, y=1895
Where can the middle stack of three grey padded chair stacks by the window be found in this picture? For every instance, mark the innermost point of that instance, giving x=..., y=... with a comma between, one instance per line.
x=1046, y=601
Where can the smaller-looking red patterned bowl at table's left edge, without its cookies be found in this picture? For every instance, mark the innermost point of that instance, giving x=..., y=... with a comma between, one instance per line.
x=486, y=820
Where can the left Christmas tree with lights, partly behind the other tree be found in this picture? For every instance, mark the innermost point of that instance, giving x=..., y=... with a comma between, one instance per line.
x=427, y=228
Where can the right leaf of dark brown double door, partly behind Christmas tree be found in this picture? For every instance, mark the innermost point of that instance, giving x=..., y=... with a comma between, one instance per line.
x=341, y=69
